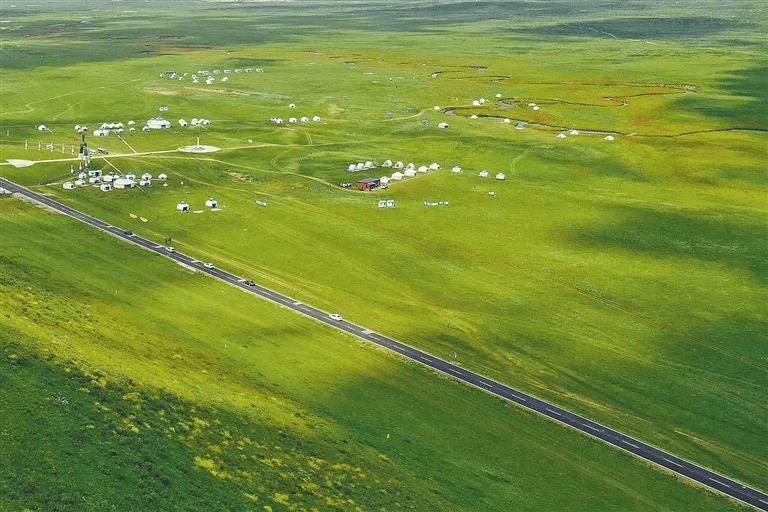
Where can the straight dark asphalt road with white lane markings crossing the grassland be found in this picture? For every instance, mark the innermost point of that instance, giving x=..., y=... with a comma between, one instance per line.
x=629, y=444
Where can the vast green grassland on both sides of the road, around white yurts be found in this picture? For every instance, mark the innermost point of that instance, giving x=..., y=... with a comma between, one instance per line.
x=623, y=280
